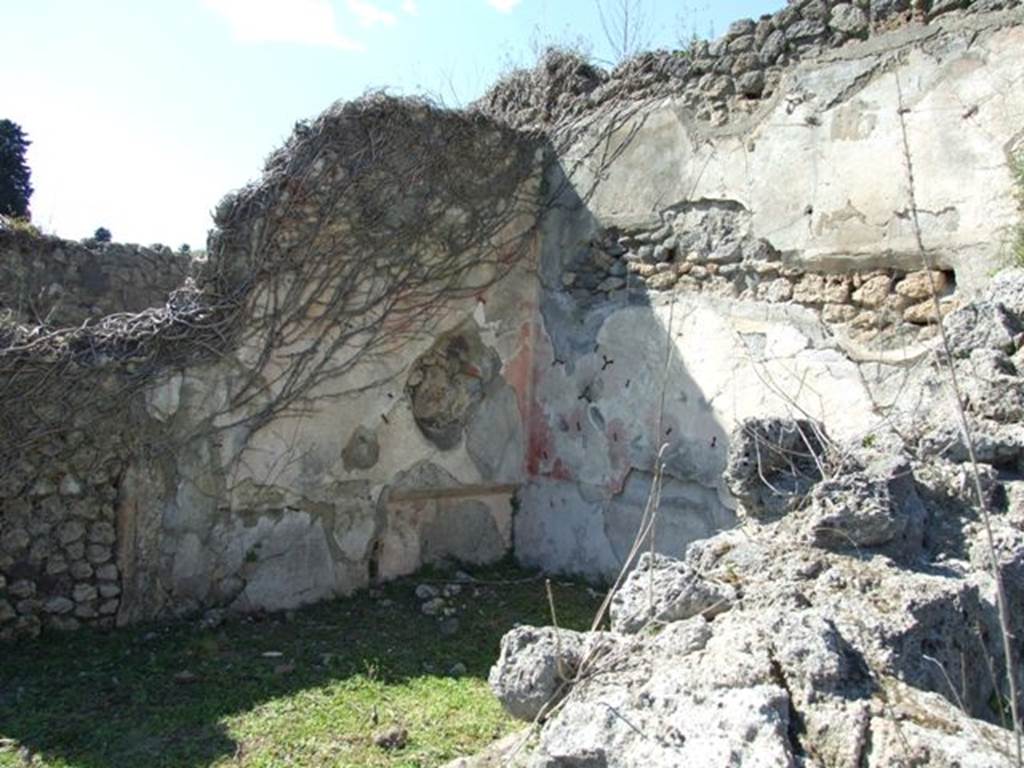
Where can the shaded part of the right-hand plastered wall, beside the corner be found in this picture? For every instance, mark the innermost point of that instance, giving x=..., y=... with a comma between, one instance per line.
x=610, y=391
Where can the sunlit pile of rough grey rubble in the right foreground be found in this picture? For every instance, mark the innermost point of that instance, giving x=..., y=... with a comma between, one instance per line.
x=851, y=621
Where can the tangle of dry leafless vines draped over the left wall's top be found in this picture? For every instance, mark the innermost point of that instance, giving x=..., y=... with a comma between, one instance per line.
x=364, y=230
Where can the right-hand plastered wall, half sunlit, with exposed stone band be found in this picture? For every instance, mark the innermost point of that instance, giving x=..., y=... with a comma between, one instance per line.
x=778, y=265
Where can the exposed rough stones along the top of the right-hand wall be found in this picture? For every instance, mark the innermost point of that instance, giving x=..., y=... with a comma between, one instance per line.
x=718, y=80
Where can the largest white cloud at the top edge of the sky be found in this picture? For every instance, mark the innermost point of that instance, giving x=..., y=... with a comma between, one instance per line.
x=303, y=22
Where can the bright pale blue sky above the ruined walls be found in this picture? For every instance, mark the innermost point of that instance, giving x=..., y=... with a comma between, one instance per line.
x=144, y=113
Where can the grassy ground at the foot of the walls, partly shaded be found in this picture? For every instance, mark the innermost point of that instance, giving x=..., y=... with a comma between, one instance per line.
x=348, y=670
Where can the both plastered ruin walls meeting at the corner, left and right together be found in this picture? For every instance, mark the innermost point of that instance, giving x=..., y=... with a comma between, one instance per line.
x=428, y=335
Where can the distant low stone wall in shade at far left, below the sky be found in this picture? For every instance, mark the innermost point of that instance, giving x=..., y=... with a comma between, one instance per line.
x=47, y=280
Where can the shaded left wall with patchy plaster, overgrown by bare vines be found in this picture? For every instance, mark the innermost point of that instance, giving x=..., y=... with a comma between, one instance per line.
x=336, y=401
